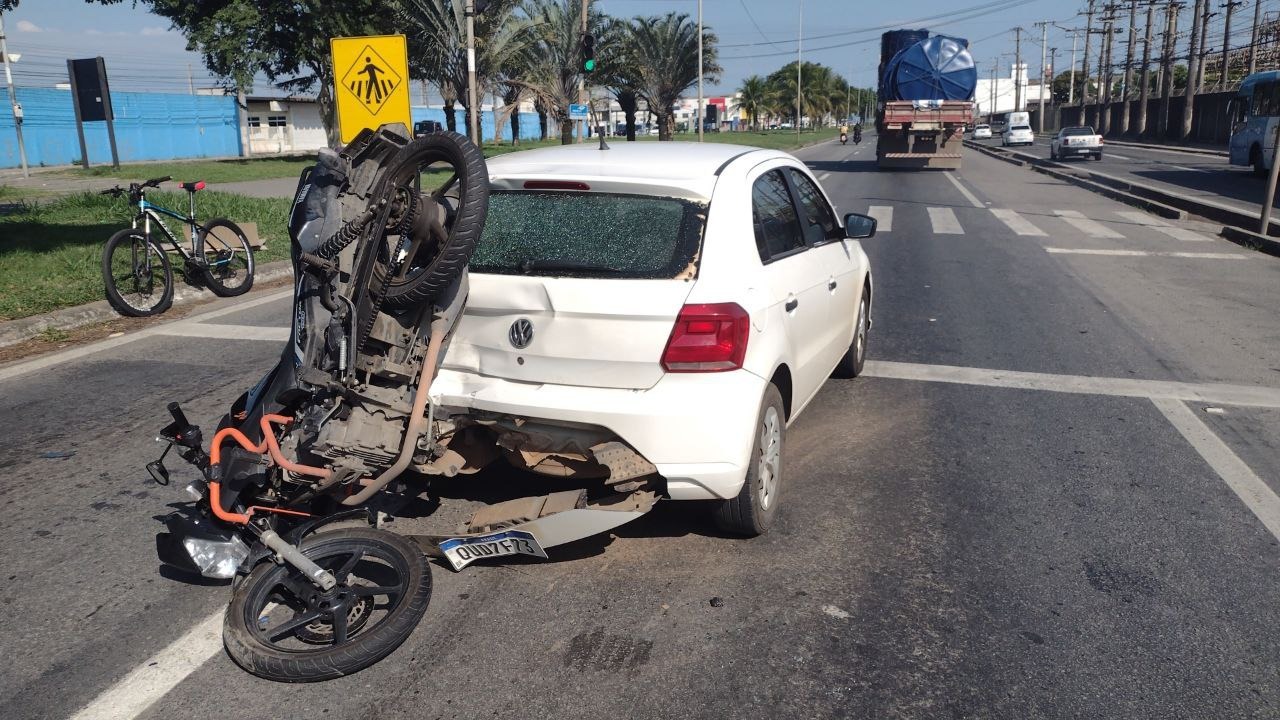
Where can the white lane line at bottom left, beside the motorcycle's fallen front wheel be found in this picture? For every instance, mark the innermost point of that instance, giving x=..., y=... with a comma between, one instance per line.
x=159, y=675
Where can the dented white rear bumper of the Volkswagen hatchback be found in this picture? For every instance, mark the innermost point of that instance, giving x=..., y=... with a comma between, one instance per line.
x=693, y=430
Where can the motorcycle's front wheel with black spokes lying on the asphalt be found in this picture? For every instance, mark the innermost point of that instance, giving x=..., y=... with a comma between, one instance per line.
x=282, y=627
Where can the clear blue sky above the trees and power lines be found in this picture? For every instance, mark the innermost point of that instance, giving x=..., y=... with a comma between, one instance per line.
x=757, y=37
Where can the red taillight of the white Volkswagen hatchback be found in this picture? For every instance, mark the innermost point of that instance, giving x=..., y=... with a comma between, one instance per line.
x=708, y=339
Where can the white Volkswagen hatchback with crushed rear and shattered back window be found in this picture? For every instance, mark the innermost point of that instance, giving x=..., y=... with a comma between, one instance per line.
x=618, y=294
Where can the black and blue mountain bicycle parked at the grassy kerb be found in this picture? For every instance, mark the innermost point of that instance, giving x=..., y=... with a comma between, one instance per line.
x=136, y=268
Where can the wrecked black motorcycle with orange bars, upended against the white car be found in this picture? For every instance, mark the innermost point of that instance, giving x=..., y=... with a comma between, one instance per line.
x=308, y=464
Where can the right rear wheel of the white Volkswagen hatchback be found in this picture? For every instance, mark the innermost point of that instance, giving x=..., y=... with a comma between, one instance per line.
x=752, y=513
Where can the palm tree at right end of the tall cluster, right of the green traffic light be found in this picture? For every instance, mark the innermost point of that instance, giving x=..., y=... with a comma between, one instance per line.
x=666, y=54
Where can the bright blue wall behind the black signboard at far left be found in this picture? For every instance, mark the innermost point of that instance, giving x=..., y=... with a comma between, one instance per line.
x=149, y=126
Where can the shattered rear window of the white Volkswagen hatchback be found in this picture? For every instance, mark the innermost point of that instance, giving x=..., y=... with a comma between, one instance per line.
x=593, y=235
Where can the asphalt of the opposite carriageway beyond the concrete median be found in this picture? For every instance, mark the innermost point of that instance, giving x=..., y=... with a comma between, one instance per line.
x=1194, y=175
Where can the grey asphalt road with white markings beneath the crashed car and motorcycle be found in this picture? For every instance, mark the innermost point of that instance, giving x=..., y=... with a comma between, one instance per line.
x=1052, y=496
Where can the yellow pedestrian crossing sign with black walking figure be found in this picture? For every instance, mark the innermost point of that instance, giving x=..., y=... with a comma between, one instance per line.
x=372, y=83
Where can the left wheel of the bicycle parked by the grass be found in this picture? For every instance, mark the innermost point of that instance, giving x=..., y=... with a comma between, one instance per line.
x=138, y=275
